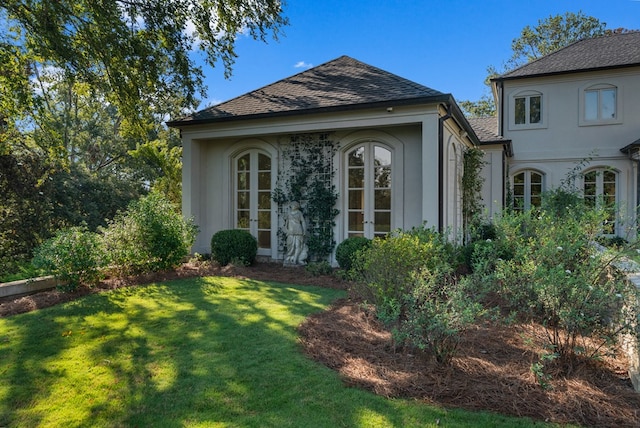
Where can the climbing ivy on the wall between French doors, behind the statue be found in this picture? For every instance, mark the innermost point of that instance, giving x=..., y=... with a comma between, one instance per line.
x=306, y=175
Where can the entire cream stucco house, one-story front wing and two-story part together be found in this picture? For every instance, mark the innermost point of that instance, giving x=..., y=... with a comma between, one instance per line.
x=396, y=148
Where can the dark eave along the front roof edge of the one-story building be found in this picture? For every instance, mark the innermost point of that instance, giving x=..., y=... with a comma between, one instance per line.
x=180, y=123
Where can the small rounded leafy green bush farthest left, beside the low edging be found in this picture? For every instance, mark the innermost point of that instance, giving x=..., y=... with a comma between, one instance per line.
x=74, y=256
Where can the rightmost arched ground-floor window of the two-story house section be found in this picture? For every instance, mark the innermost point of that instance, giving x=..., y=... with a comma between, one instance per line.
x=600, y=192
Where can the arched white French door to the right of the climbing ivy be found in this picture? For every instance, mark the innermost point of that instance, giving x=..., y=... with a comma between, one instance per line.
x=368, y=191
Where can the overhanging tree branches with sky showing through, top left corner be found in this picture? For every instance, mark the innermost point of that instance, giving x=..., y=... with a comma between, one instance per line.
x=138, y=53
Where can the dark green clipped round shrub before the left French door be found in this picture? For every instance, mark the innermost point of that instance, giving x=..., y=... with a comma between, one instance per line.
x=230, y=244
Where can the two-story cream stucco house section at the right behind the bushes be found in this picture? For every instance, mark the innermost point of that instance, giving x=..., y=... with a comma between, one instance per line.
x=571, y=117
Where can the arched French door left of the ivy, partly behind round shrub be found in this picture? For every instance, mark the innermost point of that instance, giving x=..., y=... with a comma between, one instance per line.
x=253, y=197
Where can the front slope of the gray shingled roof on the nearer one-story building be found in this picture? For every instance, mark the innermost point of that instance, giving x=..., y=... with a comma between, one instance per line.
x=339, y=84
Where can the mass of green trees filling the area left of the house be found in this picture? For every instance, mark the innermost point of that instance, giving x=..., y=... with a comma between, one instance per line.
x=85, y=87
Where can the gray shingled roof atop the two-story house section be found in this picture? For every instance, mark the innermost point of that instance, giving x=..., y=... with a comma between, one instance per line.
x=613, y=51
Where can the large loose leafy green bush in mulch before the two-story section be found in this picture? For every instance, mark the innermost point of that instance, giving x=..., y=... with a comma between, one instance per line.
x=558, y=277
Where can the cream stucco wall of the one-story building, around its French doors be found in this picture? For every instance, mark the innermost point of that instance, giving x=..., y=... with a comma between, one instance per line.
x=411, y=135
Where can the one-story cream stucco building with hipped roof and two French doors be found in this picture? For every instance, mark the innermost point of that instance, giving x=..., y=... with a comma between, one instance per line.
x=396, y=150
